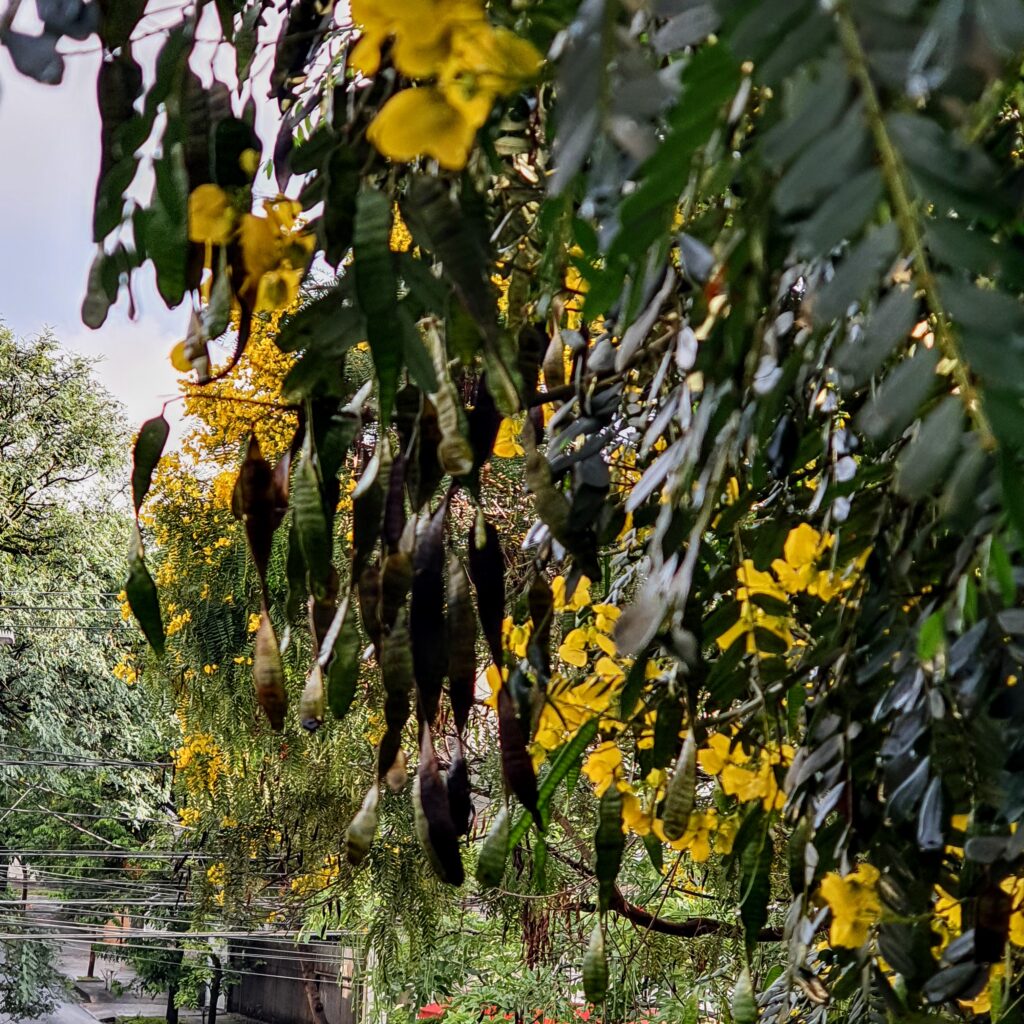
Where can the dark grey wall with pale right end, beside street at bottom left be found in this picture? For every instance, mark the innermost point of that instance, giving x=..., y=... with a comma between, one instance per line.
x=276, y=995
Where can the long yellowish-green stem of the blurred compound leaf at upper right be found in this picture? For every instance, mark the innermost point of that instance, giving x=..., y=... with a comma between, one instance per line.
x=895, y=179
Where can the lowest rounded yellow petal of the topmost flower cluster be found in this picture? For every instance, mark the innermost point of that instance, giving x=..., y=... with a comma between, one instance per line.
x=420, y=123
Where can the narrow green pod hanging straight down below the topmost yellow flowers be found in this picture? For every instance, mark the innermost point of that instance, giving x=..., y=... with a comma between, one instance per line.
x=377, y=291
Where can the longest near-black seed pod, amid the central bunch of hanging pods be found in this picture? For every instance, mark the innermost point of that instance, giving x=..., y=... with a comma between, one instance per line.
x=426, y=617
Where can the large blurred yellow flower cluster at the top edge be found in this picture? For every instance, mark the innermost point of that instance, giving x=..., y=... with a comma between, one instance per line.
x=463, y=63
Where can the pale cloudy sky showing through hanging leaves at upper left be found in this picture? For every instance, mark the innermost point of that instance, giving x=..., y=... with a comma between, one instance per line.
x=51, y=138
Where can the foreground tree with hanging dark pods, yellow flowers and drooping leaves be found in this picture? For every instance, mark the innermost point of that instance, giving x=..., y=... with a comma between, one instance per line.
x=767, y=260
